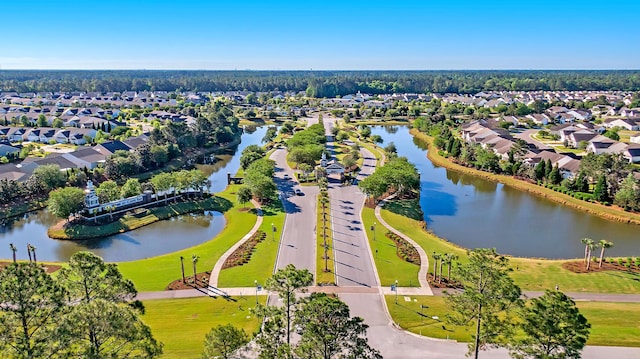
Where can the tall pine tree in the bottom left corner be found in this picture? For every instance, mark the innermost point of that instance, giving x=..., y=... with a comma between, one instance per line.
x=31, y=305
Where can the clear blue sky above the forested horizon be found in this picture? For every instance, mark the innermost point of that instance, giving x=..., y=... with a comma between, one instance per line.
x=319, y=35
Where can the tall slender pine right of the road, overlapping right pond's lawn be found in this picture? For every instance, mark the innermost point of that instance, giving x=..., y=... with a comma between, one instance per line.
x=489, y=294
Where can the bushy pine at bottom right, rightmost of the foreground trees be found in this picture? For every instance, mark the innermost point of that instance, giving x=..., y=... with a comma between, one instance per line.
x=553, y=328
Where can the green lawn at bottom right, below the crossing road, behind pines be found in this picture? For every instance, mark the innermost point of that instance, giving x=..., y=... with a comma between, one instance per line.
x=612, y=324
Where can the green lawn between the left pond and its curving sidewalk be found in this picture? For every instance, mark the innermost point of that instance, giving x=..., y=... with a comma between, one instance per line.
x=156, y=273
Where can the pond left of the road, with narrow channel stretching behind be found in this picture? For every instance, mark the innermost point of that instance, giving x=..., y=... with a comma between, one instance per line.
x=152, y=240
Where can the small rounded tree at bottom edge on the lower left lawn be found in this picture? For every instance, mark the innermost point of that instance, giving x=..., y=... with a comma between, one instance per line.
x=223, y=340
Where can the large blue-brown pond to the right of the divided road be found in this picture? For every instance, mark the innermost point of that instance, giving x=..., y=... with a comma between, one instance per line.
x=473, y=212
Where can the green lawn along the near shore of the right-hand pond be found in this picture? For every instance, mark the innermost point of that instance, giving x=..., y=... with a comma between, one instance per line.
x=529, y=274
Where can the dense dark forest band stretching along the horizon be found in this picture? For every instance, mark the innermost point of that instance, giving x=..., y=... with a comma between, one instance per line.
x=317, y=83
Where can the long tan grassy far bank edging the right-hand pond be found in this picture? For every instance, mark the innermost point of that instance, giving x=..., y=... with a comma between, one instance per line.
x=608, y=213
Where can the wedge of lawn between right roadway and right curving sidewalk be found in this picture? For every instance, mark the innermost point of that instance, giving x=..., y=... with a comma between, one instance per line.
x=390, y=266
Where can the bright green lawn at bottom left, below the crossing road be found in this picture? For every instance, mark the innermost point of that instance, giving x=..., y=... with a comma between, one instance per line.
x=181, y=324
